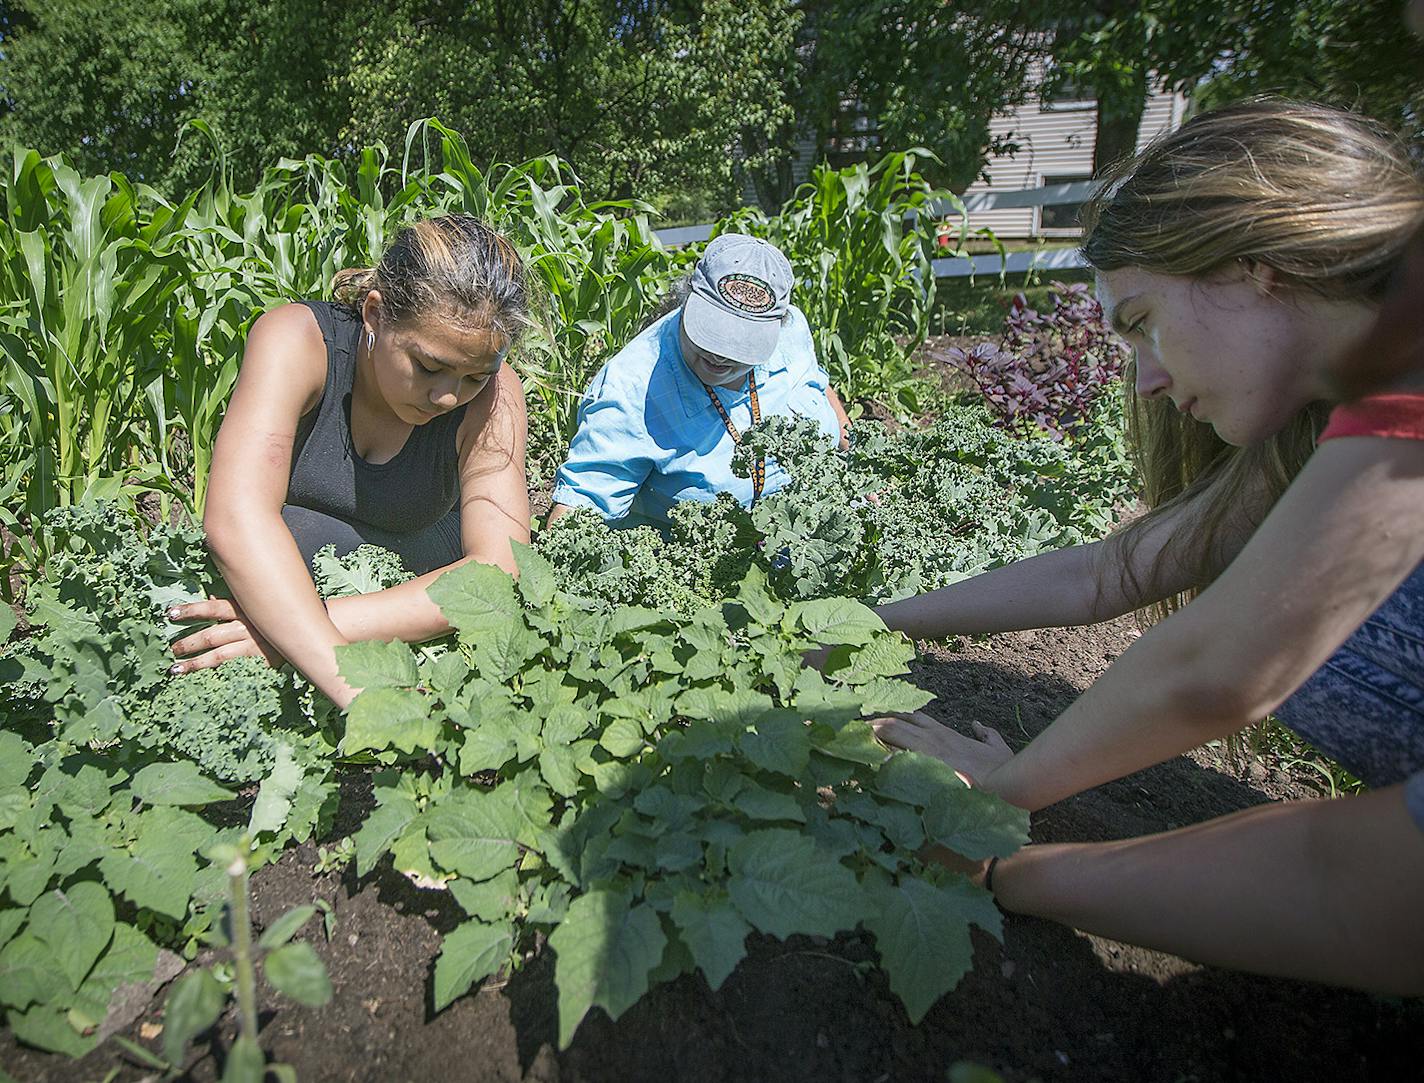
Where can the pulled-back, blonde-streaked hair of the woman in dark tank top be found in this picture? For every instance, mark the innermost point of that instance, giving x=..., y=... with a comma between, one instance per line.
x=452, y=265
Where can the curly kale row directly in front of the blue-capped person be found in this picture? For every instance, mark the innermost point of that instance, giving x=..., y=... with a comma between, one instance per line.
x=896, y=514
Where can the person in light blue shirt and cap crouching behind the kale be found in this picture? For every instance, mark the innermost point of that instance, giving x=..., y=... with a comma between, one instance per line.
x=660, y=422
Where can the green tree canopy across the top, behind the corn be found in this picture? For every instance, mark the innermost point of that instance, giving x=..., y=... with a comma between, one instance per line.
x=677, y=102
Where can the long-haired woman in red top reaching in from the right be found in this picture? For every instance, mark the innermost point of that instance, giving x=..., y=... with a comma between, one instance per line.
x=1242, y=257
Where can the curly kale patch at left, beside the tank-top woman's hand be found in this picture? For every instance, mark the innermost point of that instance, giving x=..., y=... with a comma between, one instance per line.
x=98, y=658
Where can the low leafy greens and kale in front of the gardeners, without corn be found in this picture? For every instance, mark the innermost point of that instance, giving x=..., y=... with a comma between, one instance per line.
x=623, y=751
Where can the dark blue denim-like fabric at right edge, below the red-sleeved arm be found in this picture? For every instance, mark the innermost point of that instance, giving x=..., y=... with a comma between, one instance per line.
x=1365, y=707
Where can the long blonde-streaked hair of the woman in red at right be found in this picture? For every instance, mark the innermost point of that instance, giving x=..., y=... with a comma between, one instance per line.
x=1322, y=197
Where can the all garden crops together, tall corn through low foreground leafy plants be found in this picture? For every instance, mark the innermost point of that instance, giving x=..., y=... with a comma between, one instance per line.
x=622, y=751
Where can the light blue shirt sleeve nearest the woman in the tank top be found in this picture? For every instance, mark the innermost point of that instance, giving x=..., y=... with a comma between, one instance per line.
x=609, y=458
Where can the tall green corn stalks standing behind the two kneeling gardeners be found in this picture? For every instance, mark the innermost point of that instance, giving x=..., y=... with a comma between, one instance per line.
x=123, y=314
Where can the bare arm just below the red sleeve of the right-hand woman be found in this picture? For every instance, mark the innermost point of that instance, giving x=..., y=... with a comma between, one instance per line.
x=1336, y=546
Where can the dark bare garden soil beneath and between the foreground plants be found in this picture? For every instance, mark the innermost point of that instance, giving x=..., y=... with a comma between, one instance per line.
x=1050, y=1004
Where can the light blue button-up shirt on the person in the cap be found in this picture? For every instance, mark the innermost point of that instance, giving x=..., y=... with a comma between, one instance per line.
x=649, y=436
